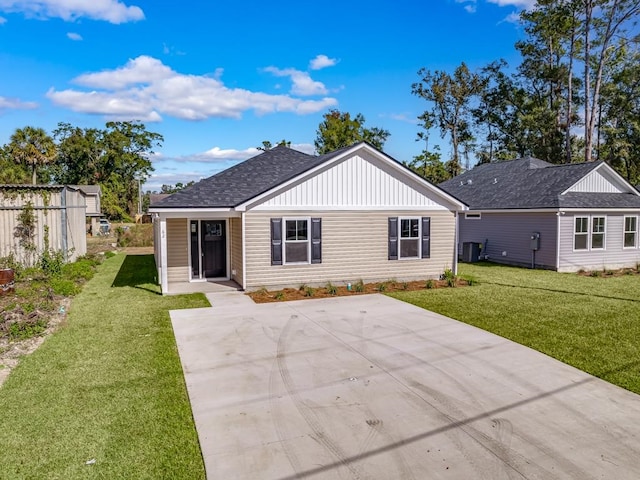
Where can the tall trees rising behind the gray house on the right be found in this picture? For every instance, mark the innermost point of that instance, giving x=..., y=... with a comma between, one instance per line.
x=575, y=96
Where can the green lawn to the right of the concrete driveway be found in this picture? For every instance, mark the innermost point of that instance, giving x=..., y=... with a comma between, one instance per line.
x=589, y=322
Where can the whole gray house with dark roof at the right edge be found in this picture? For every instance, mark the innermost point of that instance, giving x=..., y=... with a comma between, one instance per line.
x=585, y=215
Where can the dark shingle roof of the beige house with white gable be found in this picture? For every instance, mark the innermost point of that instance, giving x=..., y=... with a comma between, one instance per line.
x=246, y=180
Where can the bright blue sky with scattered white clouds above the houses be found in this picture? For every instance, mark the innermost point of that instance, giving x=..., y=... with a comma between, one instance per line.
x=218, y=78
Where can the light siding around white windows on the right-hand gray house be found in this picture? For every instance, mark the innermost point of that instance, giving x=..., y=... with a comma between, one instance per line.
x=613, y=256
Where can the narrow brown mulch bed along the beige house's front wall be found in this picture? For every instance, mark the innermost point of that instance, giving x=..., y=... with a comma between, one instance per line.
x=304, y=292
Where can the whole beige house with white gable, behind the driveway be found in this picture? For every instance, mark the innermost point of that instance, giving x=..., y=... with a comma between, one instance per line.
x=285, y=218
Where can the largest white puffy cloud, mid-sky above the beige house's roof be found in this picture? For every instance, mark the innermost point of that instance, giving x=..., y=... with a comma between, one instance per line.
x=145, y=88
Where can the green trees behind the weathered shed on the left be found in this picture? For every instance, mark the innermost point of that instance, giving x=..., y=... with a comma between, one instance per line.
x=117, y=158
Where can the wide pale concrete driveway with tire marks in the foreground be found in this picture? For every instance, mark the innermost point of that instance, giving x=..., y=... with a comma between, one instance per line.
x=371, y=387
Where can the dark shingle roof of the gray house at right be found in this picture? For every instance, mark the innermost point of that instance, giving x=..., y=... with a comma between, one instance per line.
x=530, y=183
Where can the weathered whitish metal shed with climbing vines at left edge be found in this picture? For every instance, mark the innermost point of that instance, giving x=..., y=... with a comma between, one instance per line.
x=59, y=213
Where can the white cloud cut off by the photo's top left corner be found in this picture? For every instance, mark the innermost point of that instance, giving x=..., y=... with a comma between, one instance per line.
x=113, y=11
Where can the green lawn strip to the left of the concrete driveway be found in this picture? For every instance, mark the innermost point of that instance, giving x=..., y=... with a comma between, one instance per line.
x=108, y=386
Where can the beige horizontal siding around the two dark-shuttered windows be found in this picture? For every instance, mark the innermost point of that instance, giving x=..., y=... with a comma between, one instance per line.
x=354, y=247
